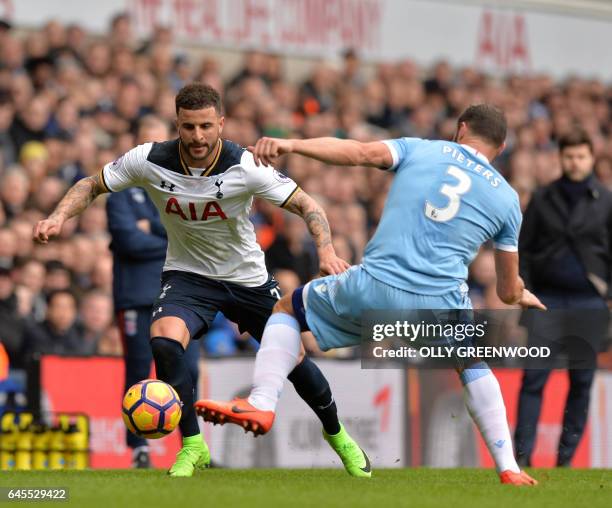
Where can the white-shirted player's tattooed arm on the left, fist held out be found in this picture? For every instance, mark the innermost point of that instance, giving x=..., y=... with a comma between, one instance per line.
x=77, y=199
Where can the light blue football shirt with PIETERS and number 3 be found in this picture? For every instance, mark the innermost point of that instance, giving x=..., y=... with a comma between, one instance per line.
x=446, y=200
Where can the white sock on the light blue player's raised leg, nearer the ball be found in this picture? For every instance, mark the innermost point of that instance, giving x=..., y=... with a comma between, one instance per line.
x=277, y=357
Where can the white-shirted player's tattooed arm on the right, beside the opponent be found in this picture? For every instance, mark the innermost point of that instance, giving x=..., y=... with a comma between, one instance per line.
x=315, y=218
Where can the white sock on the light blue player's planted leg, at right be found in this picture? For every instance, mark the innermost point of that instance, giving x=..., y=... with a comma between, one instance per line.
x=485, y=404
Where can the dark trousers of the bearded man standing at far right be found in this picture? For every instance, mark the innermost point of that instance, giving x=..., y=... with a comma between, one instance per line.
x=580, y=379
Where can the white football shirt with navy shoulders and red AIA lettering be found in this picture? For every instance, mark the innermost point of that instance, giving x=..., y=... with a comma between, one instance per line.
x=206, y=217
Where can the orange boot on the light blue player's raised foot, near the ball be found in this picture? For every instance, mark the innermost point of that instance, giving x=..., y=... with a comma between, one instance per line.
x=237, y=411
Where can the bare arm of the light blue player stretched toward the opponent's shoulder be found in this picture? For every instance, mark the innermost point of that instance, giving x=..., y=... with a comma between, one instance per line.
x=340, y=152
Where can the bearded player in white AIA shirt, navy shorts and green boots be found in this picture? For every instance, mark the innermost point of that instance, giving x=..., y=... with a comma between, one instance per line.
x=203, y=187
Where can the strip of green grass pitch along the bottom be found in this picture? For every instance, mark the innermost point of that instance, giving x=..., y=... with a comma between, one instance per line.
x=319, y=488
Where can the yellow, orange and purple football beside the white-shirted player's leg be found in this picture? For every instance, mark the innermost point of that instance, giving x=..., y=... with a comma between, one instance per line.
x=151, y=409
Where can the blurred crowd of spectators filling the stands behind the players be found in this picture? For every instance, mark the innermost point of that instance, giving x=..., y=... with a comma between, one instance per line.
x=70, y=102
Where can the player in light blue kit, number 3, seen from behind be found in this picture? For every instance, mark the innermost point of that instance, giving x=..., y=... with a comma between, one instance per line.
x=445, y=202
